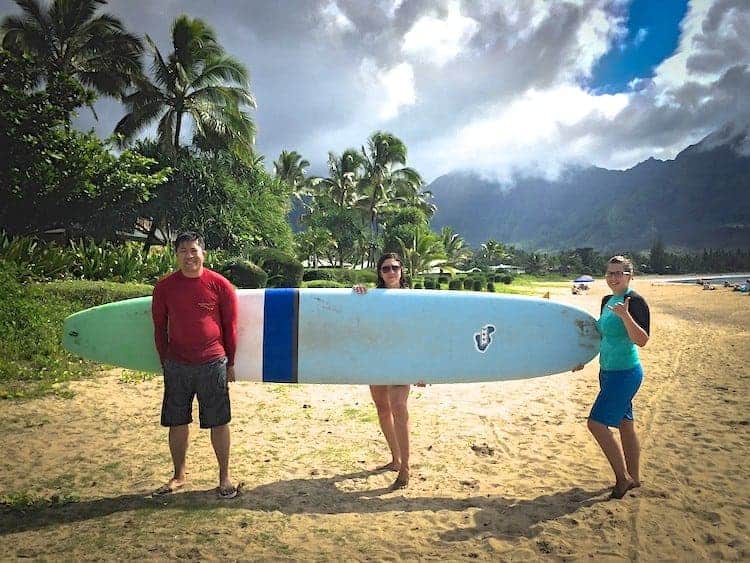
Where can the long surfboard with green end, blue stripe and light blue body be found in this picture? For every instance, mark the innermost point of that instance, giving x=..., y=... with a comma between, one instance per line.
x=382, y=337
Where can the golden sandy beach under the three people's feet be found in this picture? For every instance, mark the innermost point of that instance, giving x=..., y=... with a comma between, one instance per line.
x=500, y=471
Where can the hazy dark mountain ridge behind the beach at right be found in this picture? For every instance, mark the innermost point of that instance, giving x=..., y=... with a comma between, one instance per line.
x=698, y=200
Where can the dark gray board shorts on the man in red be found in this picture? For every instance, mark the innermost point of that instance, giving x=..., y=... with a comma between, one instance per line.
x=208, y=381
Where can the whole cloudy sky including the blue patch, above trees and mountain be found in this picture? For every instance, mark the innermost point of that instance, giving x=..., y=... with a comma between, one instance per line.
x=496, y=86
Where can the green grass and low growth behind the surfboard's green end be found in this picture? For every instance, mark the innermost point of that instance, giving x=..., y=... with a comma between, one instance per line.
x=33, y=362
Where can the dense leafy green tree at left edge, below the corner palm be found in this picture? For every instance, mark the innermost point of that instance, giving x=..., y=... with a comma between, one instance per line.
x=53, y=177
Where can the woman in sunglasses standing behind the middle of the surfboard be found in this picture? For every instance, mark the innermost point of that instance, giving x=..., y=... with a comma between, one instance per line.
x=390, y=400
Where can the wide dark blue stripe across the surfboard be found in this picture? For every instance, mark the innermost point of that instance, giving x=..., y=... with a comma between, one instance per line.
x=280, y=323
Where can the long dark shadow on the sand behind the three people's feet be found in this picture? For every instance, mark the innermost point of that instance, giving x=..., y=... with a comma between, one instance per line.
x=496, y=516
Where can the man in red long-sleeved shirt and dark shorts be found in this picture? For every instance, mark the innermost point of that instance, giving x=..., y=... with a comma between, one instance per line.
x=195, y=329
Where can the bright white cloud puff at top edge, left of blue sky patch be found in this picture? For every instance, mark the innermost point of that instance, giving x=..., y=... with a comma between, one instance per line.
x=438, y=41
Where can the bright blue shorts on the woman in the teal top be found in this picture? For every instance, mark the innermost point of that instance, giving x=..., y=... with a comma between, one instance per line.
x=616, y=391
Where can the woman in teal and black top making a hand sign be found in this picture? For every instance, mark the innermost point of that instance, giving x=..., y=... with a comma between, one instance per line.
x=624, y=323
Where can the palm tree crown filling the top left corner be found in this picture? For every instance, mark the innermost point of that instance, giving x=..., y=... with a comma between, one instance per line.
x=68, y=36
